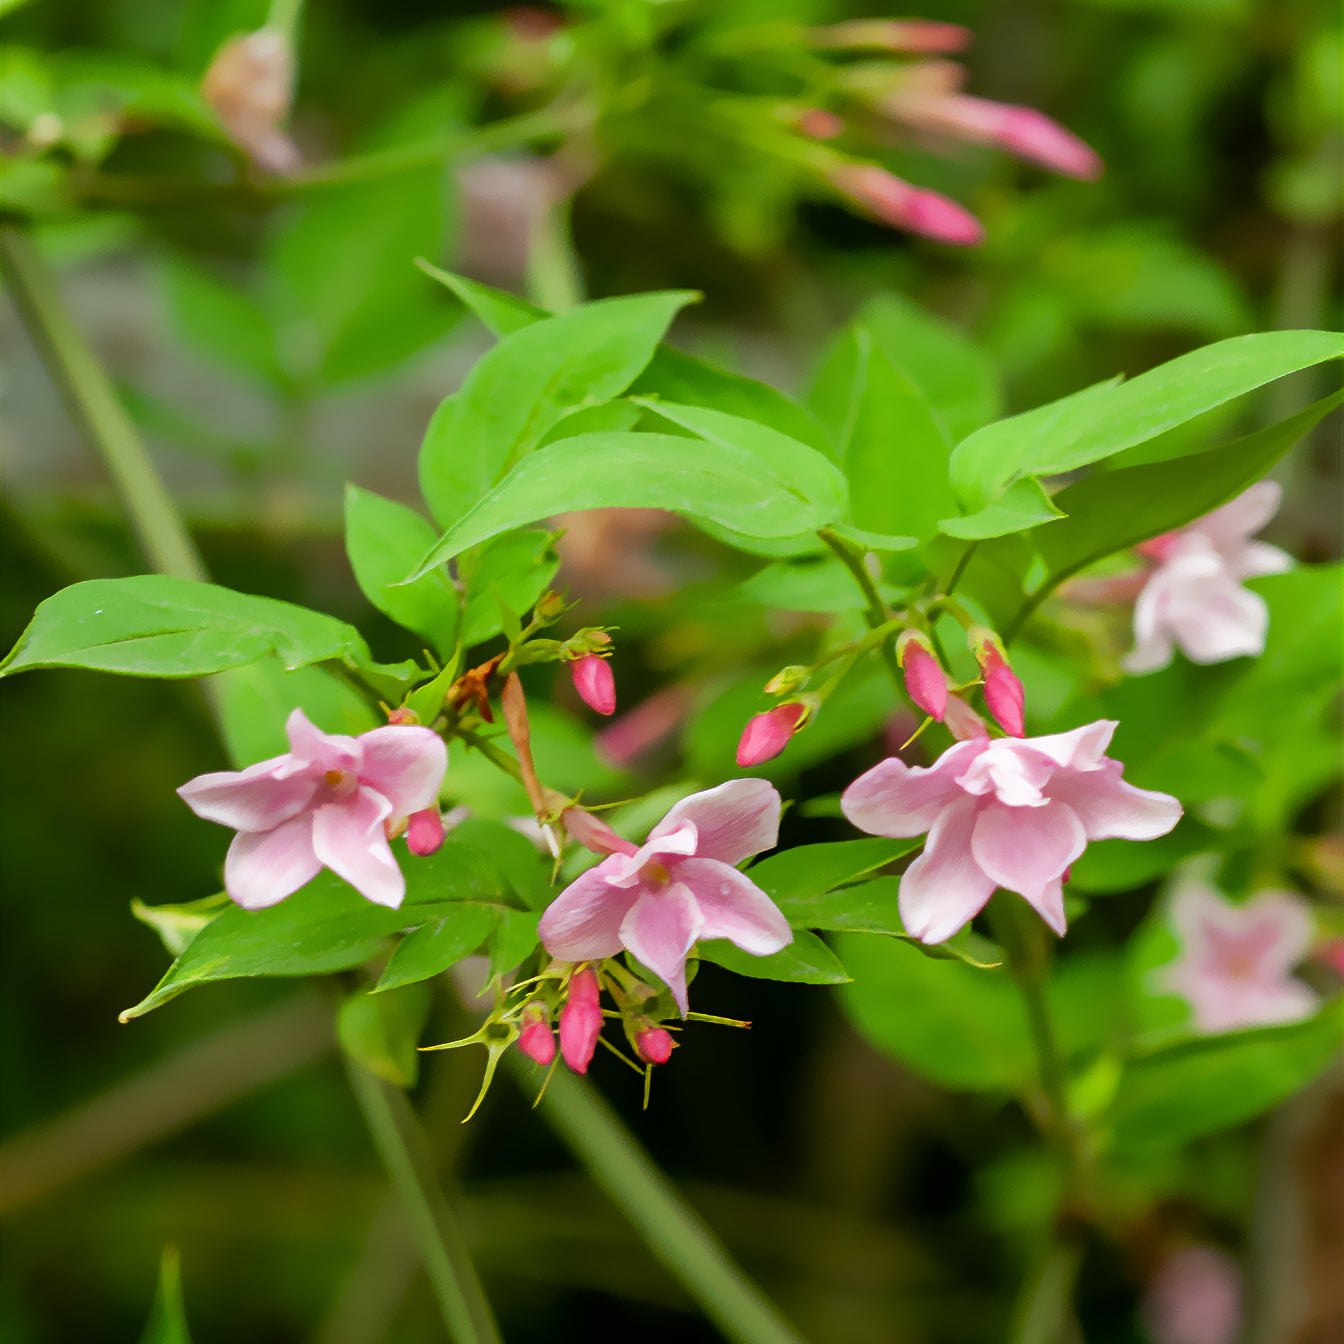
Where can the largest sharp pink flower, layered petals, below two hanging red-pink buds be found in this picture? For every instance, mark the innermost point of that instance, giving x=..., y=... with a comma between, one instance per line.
x=1003, y=814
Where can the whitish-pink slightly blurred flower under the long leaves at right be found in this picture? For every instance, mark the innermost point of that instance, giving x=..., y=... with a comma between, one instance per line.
x=1195, y=597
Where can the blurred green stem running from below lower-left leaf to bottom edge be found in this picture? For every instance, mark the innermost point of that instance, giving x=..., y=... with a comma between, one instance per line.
x=403, y=1148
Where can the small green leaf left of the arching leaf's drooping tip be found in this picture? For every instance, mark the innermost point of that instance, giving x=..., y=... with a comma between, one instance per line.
x=384, y=540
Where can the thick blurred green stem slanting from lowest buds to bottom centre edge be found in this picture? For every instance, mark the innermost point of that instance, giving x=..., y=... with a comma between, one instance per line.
x=674, y=1233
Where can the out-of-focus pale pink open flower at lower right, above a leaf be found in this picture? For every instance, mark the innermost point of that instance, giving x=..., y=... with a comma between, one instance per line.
x=1236, y=960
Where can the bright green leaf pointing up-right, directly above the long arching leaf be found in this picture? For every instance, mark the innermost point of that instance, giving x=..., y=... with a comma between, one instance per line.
x=518, y=392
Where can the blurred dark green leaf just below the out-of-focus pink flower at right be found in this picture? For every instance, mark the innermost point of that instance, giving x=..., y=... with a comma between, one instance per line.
x=1175, y=1096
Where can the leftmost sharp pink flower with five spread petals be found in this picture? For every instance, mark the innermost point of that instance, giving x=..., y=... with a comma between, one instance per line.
x=330, y=803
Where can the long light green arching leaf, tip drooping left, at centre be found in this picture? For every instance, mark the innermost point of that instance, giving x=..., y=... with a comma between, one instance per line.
x=634, y=471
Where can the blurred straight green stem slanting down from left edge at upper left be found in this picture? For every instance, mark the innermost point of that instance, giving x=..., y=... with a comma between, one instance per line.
x=92, y=401
